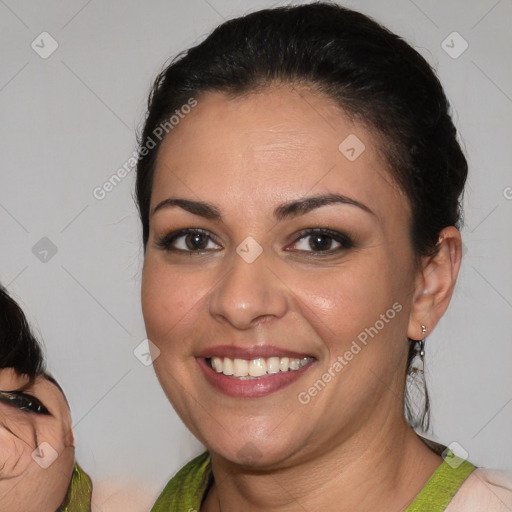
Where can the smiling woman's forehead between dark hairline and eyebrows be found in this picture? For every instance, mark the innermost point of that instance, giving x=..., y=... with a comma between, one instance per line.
x=280, y=142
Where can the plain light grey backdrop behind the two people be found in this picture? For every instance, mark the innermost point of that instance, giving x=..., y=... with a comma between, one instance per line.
x=68, y=122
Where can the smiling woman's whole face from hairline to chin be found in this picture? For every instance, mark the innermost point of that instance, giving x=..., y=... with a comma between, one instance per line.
x=253, y=285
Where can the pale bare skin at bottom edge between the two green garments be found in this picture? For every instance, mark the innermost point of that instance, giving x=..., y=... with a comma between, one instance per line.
x=123, y=495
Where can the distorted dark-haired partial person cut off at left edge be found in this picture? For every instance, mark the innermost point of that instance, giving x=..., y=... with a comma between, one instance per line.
x=38, y=472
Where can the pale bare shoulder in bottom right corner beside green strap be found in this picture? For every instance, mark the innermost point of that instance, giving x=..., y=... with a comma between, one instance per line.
x=484, y=489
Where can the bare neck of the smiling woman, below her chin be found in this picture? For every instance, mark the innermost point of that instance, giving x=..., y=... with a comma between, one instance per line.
x=376, y=469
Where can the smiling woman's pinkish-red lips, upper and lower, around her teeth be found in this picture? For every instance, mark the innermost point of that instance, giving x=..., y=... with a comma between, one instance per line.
x=255, y=387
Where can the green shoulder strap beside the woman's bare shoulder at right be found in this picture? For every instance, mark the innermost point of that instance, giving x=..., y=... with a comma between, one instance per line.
x=442, y=485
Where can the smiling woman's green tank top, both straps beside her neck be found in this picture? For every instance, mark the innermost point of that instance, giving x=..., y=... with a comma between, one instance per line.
x=184, y=493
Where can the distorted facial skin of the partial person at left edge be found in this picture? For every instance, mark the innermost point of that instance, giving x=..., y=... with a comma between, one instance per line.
x=25, y=486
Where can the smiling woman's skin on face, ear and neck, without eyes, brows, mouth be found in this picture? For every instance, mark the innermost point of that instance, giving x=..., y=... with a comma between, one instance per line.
x=350, y=448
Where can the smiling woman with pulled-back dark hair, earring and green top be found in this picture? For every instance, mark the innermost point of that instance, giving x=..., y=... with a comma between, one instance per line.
x=314, y=189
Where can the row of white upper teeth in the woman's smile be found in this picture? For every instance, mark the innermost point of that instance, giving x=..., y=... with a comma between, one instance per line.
x=257, y=367
